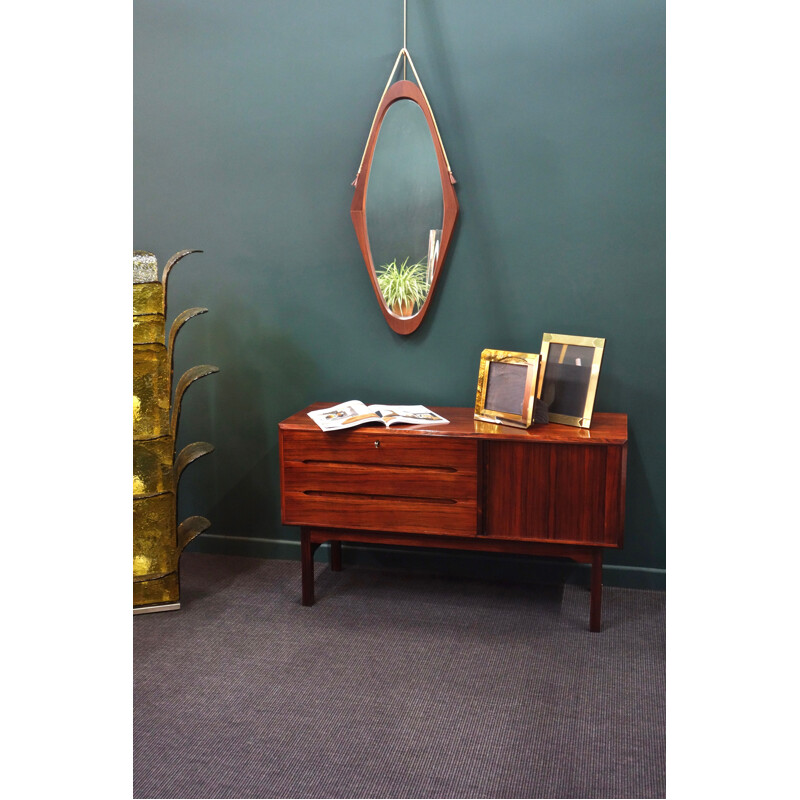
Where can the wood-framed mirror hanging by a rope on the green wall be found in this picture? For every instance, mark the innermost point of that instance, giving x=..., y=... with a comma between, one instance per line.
x=404, y=208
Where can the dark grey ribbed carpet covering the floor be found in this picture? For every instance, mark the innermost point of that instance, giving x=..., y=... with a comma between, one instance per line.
x=395, y=684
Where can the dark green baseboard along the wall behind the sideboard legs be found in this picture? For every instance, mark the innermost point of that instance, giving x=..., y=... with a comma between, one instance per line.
x=522, y=569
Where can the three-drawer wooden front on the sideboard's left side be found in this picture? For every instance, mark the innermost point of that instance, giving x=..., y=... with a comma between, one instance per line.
x=380, y=481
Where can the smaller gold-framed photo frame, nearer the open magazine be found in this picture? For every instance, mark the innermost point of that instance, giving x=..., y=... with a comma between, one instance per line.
x=507, y=387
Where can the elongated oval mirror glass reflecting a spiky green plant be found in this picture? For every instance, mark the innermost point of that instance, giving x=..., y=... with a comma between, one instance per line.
x=404, y=209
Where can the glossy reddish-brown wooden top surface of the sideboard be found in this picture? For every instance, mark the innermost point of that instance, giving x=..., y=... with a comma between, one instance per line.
x=606, y=428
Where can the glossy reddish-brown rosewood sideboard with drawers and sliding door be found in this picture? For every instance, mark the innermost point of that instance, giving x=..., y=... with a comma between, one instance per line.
x=549, y=490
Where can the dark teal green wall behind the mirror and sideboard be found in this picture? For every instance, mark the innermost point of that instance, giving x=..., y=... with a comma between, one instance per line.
x=250, y=119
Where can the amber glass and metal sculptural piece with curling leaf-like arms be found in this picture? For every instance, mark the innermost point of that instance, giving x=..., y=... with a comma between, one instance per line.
x=158, y=540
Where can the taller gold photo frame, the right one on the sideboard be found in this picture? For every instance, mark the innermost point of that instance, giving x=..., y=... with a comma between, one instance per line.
x=568, y=377
